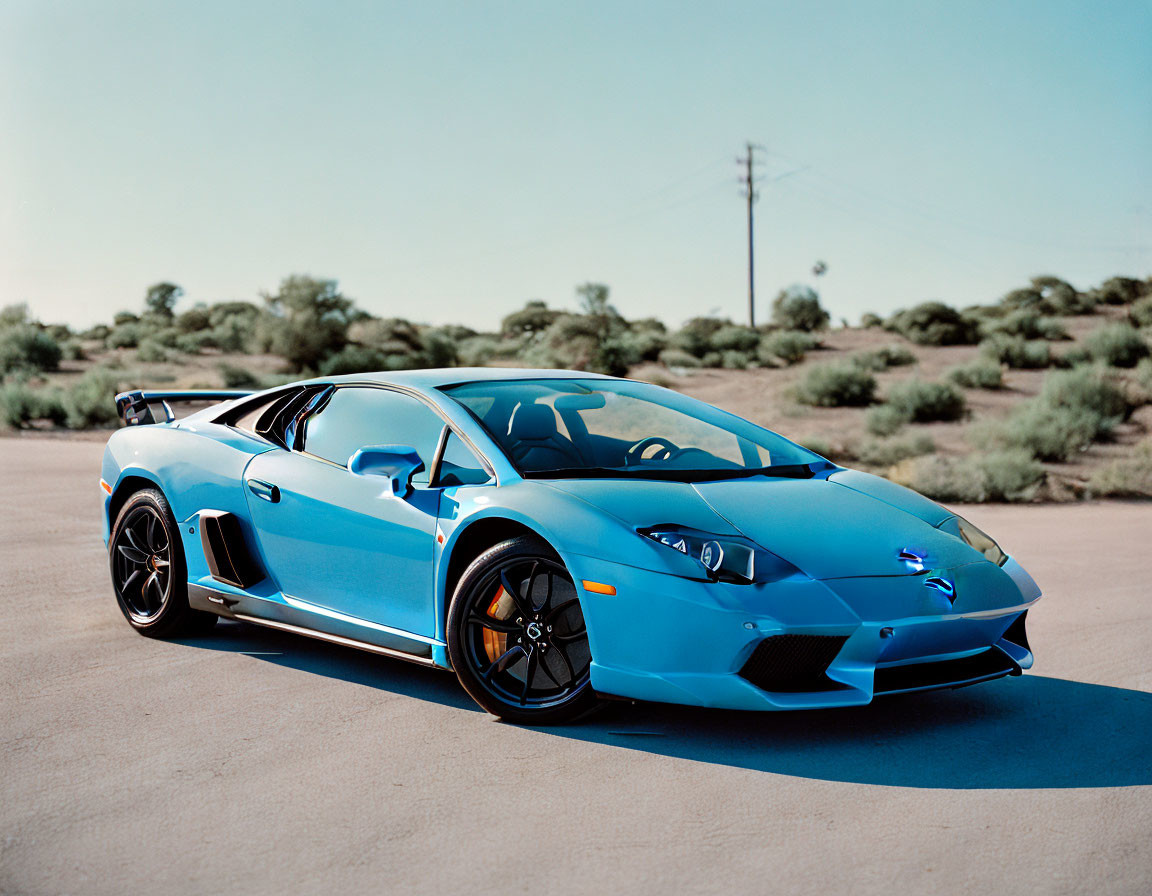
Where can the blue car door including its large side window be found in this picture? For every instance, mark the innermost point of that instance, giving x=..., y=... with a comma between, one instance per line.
x=344, y=542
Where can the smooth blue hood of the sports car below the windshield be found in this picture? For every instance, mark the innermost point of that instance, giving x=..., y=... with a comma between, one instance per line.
x=827, y=529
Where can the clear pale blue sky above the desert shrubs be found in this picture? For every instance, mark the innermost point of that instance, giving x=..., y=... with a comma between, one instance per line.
x=449, y=162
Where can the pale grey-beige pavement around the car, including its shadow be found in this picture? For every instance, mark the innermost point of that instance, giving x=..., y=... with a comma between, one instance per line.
x=254, y=762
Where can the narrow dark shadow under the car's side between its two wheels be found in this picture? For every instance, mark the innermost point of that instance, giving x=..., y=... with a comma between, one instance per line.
x=335, y=662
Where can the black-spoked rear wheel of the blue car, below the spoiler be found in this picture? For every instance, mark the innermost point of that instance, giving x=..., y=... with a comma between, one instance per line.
x=149, y=578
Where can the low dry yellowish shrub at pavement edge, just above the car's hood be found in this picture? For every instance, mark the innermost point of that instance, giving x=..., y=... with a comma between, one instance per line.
x=999, y=476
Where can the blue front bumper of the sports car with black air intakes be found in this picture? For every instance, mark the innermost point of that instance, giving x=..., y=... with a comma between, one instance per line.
x=672, y=640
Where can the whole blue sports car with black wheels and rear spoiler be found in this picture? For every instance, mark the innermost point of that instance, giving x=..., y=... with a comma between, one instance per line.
x=555, y=538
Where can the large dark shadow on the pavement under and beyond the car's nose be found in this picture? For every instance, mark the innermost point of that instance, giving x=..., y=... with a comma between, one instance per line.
x=1020, y=733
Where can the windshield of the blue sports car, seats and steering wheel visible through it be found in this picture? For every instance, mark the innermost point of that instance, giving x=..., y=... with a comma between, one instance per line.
x=570, y=429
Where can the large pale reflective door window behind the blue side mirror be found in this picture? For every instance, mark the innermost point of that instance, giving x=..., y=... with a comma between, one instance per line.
x=358, y=417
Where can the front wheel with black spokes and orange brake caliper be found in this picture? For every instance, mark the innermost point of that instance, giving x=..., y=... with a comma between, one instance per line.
x=517, y=636
